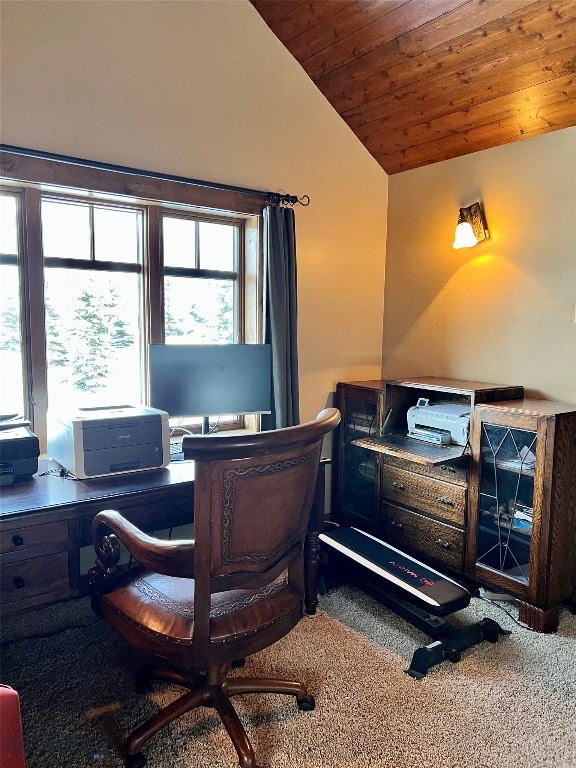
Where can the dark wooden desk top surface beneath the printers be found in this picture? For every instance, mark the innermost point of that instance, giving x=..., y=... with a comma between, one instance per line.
x=42, y=491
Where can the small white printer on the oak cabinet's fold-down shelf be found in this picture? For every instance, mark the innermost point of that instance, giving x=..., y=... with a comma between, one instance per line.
x=440, y=423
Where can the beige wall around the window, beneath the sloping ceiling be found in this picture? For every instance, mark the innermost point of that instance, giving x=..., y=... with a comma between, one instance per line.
x=205, y=90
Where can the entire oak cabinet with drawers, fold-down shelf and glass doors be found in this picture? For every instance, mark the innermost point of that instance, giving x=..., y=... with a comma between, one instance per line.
x=444, y=504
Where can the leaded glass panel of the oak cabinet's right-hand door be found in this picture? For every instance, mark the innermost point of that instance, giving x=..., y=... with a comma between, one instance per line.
x=506, y=500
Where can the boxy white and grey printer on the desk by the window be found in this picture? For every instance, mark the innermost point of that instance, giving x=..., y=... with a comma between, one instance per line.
x=94, y=442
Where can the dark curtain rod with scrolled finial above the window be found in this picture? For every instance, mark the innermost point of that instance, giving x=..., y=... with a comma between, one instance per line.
x=272, y=198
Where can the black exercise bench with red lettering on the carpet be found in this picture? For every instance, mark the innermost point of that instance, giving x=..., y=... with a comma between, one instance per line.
x=416, y=592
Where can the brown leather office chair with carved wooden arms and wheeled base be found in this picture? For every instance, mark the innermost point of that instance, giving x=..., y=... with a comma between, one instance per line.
x=235, y=590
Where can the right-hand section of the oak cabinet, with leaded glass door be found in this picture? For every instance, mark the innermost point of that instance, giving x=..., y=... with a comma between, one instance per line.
x=522, y=528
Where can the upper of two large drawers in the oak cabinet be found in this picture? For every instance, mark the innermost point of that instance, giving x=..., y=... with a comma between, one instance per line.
x=444, y=500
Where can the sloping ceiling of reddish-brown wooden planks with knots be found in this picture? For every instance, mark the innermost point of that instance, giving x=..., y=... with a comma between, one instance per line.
x=420, y=81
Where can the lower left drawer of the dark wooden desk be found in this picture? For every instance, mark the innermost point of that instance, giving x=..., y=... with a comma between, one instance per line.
x=33, y=577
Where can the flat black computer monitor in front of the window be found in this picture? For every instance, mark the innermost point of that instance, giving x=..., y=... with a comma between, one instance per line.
x=210, y=379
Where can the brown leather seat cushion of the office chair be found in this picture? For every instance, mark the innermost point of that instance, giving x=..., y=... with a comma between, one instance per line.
x=164, y=606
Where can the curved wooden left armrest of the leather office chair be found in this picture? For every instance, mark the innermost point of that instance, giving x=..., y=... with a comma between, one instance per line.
x=171, y=558
